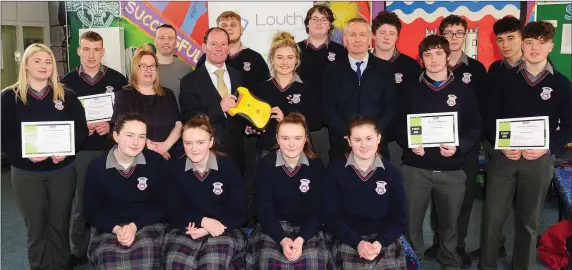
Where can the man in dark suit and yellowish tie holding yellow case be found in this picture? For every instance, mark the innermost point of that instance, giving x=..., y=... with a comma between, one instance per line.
x=208, y=90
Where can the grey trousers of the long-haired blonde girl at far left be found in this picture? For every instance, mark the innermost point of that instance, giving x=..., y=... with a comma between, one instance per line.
x=45, y=200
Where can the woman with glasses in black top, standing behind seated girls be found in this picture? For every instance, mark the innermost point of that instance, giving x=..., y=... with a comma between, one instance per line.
x=157, y=104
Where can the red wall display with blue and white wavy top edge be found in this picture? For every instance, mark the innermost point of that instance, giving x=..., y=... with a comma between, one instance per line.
x=422, y=18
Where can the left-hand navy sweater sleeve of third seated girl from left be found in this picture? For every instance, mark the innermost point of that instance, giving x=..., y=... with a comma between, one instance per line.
x=265, y=204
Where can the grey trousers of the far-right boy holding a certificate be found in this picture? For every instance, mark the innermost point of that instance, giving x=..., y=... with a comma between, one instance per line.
x=527, y=182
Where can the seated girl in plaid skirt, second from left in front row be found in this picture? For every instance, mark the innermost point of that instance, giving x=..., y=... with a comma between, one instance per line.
x=207, y=205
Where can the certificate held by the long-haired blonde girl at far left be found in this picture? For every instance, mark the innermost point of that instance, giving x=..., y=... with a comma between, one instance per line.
x=42, y=139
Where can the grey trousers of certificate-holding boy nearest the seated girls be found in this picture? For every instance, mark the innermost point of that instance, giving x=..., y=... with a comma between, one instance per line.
x=447, y=189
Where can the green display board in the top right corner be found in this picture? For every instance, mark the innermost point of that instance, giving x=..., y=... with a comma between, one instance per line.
x=560, y=15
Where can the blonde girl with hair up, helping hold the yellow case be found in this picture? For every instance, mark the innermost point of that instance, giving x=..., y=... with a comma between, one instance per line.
x=285, y=91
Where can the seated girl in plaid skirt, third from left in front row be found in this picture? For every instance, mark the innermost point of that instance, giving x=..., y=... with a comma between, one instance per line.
x=289, y=203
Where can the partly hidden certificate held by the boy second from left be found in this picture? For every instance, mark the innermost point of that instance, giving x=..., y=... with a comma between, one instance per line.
x=98, y=108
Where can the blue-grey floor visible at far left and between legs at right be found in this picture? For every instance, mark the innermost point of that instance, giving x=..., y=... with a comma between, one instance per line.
x=13, y=240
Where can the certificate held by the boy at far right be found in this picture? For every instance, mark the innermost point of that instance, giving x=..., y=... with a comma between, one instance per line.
x=522, y=133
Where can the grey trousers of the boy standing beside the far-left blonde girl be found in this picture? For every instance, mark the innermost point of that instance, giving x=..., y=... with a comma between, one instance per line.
x=79, y=232
